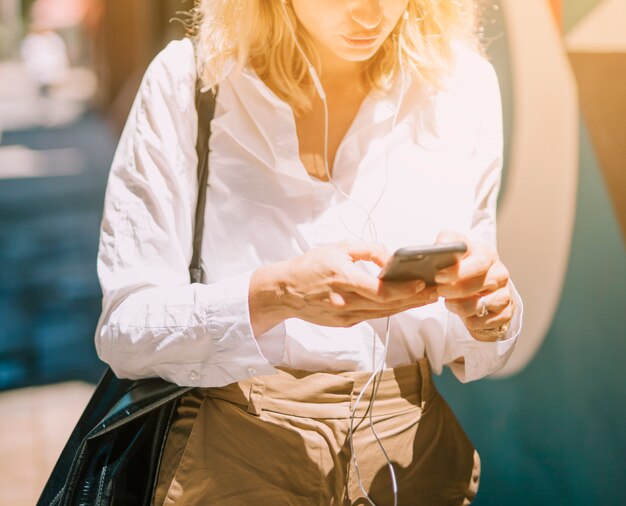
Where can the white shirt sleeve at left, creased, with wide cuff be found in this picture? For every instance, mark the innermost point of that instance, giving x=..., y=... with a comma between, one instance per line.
x=154, y=322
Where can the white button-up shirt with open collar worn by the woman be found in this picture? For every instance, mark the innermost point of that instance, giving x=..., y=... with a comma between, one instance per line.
x=439, y=168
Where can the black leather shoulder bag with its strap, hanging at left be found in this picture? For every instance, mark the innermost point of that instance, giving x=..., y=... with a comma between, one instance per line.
x=113, y=455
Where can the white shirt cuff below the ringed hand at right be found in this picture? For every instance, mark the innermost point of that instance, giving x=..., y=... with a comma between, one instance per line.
x=482, y=358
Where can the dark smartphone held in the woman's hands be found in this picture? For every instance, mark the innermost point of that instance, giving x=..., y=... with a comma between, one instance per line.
x=422, y=262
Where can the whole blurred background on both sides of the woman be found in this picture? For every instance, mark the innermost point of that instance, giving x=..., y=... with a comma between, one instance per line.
x=550, y=427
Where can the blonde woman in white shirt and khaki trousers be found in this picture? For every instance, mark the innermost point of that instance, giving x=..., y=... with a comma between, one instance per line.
x=344, y=129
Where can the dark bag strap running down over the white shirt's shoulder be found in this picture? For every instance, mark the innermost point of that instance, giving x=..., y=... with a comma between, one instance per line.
x=205, y=106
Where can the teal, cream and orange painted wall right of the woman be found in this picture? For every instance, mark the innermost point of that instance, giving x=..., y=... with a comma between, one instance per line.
x=550, y=427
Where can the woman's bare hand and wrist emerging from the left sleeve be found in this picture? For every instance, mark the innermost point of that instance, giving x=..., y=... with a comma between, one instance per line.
x=325, y=287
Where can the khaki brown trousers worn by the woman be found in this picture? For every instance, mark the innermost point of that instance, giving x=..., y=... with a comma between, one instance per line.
x=283, y=440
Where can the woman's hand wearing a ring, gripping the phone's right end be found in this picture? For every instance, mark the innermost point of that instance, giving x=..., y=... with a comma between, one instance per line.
x=476, y=288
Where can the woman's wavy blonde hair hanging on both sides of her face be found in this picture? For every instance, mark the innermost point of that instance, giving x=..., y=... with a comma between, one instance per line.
x=255, y=32
